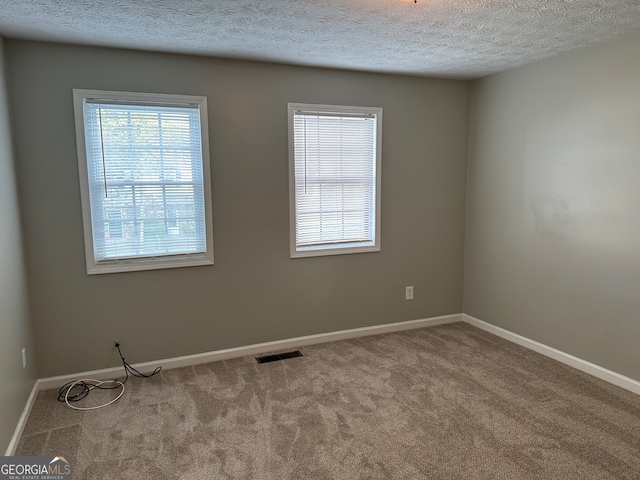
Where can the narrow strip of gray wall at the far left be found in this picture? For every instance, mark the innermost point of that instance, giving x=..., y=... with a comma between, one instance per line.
x=15, y=323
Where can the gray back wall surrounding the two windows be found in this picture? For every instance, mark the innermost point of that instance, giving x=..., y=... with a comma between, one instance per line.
x=254, y=292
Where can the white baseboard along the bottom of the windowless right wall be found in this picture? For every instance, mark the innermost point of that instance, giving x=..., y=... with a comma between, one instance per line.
x=575, y=362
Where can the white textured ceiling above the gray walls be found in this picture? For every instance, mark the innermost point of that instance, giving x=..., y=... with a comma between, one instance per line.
x=449, y=38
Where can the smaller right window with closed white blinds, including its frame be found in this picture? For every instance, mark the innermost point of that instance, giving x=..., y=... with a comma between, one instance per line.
x=334, y=179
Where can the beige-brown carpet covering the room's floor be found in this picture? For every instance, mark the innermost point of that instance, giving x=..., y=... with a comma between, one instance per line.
x=442, y=402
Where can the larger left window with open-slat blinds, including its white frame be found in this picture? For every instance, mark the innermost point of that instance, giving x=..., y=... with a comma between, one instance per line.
x=144, y=180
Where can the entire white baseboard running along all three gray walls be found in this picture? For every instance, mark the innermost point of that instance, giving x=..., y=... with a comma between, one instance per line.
x=298, y=342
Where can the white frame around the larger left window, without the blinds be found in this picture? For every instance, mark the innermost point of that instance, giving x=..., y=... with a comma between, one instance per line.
x=148, y=262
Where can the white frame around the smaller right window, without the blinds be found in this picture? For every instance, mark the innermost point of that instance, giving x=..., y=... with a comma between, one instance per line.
x=333, y=248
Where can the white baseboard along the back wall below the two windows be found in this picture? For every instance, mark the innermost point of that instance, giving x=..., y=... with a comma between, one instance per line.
x=256, y=349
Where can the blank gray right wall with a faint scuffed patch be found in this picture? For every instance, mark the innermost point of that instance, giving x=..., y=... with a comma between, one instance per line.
x=553, y=203
